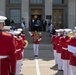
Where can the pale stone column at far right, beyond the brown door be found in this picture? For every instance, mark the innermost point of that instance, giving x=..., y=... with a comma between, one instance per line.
x=71, y=13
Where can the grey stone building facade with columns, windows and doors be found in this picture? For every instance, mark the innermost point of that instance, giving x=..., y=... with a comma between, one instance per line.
x=62, y=12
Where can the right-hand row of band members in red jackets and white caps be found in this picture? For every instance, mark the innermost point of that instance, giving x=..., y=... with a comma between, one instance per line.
x=64, y=47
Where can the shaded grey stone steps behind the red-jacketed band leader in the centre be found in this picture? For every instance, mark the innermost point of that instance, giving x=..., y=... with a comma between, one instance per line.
x=45, y=43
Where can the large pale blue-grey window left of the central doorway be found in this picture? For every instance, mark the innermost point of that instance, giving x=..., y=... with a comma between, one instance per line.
x=15, y=15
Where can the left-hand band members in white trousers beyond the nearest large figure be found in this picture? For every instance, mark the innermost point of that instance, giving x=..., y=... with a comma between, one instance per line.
x=20, y=44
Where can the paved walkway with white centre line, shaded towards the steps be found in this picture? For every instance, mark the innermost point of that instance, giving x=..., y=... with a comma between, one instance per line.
x=43, y=65
